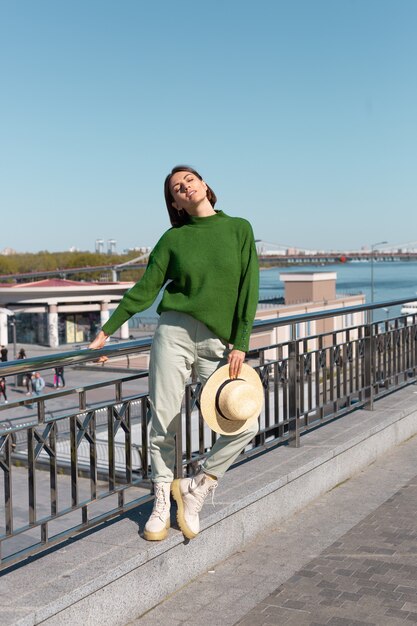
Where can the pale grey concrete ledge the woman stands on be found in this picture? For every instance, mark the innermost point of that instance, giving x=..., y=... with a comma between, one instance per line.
x=111, y=575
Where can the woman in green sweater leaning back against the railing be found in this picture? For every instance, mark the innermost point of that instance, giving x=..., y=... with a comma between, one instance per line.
x=210, y=302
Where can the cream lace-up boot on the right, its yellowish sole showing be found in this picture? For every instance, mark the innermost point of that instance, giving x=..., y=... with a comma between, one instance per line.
x=189, y=494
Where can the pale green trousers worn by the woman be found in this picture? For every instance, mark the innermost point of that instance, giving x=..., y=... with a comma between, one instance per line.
x=180, y=343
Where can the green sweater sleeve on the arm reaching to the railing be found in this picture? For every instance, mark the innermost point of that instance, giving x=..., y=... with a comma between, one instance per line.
x=143, y=294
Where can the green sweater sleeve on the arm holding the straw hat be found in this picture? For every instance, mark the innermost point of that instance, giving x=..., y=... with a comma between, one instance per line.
x=248, y=293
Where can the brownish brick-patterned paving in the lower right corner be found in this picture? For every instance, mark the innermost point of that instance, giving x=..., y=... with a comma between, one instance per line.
x=368, y=577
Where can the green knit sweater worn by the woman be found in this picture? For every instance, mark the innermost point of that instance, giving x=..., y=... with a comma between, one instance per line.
x=211, y=269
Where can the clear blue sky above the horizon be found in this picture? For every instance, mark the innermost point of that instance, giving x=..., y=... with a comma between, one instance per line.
x=300, y=114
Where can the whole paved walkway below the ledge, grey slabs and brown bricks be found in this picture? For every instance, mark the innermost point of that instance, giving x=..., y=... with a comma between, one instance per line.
x=348, y=559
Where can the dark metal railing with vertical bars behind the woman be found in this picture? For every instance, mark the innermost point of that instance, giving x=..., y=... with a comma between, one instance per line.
x=88, y=460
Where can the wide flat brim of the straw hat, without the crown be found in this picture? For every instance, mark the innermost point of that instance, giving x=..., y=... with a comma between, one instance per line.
x=208, y=408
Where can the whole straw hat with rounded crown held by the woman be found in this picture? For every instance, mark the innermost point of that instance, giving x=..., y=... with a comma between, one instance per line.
x=229, y=405
